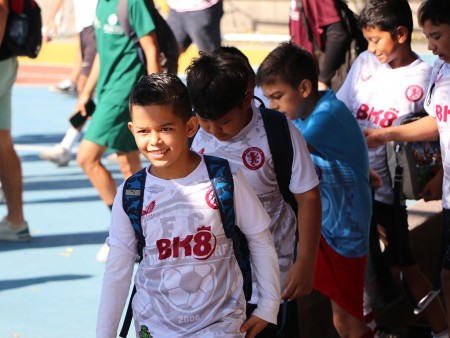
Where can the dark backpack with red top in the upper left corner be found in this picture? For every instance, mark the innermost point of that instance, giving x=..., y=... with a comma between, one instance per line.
x=23, y=36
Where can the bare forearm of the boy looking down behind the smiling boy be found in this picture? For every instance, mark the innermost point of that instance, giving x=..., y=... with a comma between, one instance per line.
x=300, y=278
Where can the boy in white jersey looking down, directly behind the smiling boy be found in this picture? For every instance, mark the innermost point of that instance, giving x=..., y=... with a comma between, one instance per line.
x=220, y=87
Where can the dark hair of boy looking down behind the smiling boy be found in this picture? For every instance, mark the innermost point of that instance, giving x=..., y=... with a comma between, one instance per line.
x=217, y=83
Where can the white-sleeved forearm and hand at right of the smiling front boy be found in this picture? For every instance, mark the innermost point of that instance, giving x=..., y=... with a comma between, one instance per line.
x=265, y=266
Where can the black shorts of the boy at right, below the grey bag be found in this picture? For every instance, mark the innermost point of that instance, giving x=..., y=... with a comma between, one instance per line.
x=398, y=252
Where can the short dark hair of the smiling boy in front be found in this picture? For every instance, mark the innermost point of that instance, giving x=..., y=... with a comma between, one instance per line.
x=162, y=89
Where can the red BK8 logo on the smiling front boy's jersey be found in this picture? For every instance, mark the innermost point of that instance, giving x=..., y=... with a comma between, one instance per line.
x=200, y=245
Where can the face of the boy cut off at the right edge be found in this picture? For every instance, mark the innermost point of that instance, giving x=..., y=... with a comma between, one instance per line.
x=438, y=39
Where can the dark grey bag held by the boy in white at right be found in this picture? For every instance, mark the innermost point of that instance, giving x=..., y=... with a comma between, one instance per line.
x=412, y=164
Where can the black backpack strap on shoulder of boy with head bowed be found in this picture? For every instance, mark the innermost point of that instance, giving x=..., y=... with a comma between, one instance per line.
x=280, y=144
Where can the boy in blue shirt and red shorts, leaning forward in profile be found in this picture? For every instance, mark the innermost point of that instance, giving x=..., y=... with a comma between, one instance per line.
x=288, y=78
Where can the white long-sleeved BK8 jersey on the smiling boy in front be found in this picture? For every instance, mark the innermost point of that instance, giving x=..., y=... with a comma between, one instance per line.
x=189, y=281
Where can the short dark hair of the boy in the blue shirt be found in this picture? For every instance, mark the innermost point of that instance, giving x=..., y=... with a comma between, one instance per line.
x=288, y=63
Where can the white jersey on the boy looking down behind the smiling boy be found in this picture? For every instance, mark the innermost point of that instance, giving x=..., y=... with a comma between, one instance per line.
x=249, y=150
